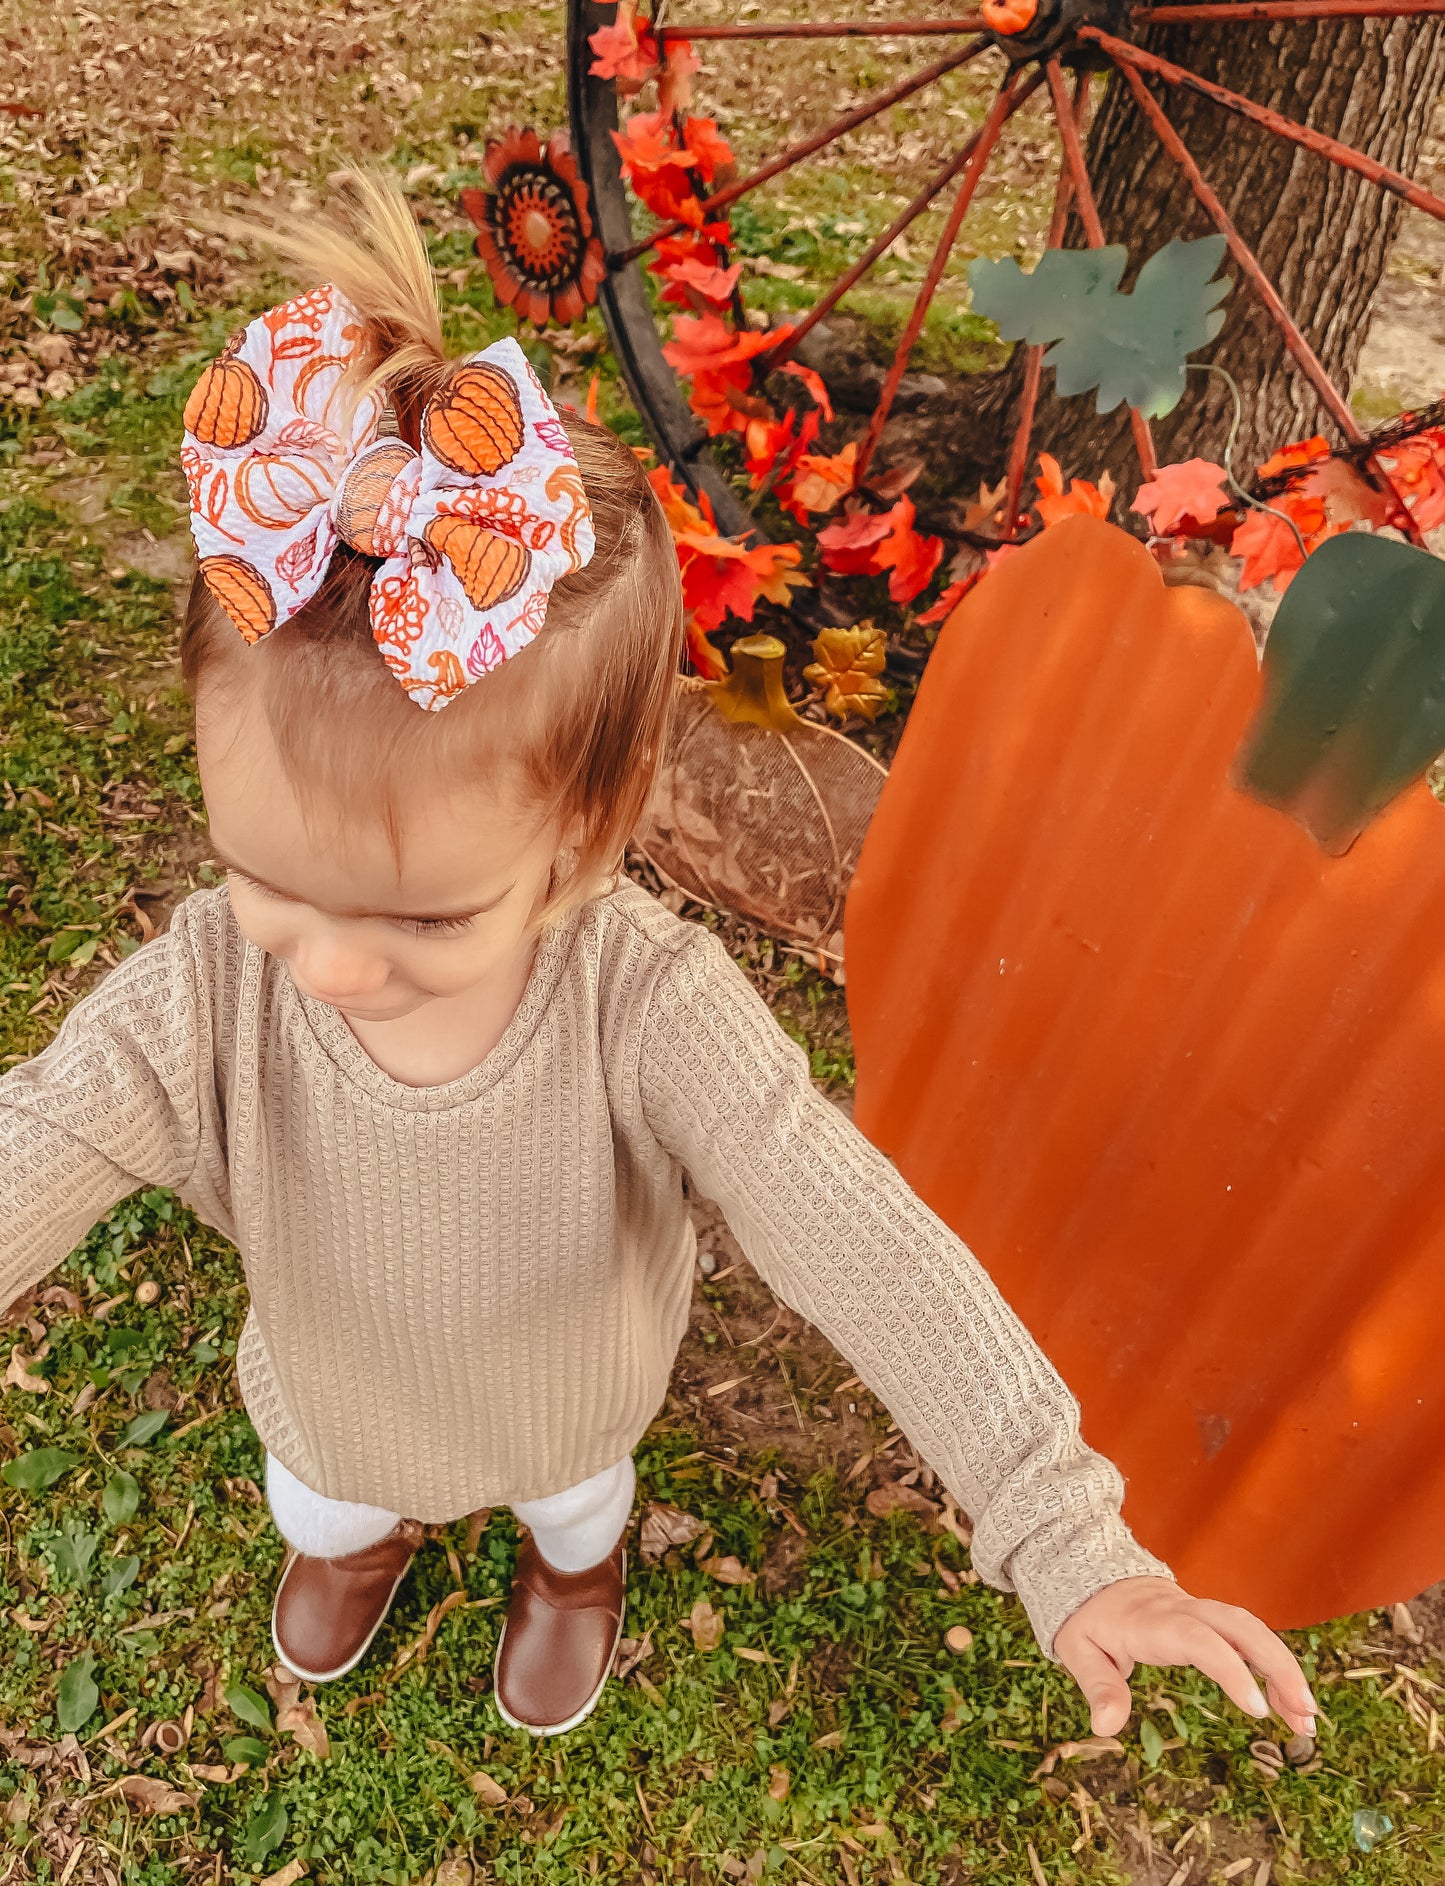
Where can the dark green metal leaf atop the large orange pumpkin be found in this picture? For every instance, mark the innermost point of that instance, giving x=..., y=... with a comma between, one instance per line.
x=1354, y=703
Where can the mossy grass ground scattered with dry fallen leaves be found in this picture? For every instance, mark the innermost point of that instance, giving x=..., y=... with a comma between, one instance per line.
x=831, y=1736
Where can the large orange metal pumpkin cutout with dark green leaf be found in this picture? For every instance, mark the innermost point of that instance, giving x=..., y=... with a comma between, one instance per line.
x=1169, y=1065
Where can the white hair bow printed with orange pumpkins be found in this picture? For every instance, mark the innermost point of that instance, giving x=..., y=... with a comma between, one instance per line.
x=473, y=531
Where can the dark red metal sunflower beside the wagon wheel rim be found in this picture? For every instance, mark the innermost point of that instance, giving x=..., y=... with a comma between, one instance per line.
x=535, y=231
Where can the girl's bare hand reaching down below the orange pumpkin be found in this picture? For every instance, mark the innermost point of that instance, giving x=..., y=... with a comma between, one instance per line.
x=1152, y=1621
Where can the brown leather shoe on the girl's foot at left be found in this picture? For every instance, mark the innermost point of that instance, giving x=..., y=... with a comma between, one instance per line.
x=329, y=1610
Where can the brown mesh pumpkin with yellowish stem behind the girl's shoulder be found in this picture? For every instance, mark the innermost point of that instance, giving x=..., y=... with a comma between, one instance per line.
x=757, y=810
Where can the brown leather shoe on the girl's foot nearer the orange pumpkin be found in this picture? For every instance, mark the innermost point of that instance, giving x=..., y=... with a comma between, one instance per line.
x=559, y=1642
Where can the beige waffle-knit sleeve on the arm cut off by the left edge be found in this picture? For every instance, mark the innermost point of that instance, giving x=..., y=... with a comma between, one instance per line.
x=110, y=1106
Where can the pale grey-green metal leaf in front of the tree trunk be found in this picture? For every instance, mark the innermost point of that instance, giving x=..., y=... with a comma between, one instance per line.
x=1129, y=346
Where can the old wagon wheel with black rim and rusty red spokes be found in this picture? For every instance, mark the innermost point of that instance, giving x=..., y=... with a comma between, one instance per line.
x=1063, y=37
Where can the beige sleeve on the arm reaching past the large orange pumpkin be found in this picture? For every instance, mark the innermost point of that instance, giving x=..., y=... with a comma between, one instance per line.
x=840, y=1238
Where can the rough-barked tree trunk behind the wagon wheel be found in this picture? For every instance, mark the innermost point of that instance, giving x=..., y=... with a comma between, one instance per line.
x=1321, y=235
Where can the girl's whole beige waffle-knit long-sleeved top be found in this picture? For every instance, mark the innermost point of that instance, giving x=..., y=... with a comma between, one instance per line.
x=473, y=1295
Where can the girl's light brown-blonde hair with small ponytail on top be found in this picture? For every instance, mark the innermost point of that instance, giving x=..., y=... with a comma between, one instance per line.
x=574, y=725
